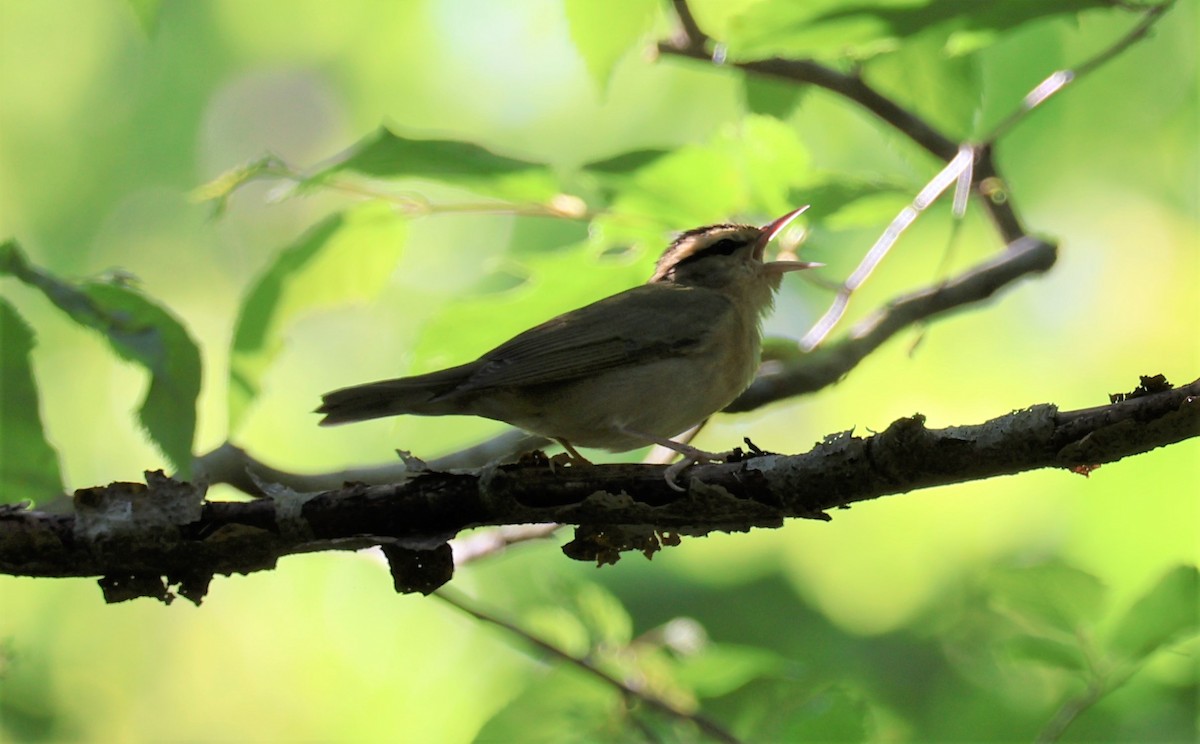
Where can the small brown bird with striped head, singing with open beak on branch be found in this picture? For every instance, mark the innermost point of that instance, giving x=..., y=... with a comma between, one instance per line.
x=634, y=369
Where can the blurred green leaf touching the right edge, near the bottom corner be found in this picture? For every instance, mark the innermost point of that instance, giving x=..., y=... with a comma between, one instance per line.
x=1168, y=613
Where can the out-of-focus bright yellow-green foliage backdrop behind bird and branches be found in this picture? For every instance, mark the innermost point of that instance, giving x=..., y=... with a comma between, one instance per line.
x=107, y=125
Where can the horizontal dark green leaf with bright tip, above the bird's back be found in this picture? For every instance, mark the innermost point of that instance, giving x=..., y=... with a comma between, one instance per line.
x=387, y=155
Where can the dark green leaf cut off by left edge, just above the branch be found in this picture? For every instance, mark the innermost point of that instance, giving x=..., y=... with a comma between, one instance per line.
x=29, y=466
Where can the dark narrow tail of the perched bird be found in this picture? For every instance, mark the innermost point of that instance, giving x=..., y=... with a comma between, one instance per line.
x=418, y=395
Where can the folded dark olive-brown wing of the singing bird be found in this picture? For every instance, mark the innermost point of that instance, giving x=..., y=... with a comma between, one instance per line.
x=638, y=326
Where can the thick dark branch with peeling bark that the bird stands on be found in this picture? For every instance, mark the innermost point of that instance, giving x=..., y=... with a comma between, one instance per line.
x=145, y=538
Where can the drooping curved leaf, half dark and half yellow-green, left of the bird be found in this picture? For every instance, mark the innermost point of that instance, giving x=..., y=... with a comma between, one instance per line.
x=347, y=257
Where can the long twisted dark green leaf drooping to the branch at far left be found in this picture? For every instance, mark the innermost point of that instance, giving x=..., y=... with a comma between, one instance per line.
x=141, y=332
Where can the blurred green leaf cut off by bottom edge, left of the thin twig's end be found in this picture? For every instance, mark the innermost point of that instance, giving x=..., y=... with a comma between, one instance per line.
x=565, y=706
